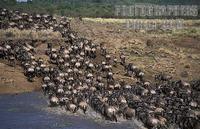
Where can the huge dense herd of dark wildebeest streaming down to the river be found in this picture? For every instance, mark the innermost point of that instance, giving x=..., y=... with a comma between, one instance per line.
x=80, y=74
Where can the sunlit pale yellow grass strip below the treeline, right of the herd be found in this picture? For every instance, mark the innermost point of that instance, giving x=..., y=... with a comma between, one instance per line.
x=190, y=28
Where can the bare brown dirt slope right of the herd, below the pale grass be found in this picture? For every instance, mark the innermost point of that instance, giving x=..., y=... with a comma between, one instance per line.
x=154, y=52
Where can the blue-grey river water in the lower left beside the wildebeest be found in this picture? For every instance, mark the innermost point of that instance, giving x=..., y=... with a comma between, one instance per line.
x=31, y=111
